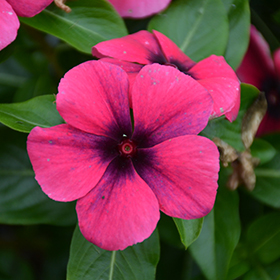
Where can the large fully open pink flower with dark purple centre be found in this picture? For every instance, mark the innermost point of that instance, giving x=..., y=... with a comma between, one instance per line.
x=123, y=170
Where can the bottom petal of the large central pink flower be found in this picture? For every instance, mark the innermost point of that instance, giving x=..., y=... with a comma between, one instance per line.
x=120, y=211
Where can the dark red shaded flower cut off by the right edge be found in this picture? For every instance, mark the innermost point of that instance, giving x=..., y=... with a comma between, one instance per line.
x=260, y=70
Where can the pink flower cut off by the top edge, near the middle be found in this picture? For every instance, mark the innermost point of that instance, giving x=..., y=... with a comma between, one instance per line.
x=139, y=9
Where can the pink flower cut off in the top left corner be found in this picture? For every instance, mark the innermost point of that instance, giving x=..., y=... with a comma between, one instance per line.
x=10, y=9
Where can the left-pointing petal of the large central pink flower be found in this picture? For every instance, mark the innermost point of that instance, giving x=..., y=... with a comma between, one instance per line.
x=67, y=162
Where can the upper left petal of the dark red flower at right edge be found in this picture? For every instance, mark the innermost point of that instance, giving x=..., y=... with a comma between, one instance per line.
x=257, y=63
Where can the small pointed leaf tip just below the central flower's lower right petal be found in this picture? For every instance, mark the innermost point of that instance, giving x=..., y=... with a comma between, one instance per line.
x=189, y=230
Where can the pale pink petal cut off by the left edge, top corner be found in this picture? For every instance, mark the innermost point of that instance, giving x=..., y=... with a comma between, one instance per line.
x=9, y=24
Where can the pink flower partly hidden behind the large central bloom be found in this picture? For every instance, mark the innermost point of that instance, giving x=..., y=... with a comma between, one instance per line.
x=134, y=51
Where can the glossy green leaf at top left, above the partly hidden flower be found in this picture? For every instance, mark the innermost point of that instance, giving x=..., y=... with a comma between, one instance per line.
x=89, y=23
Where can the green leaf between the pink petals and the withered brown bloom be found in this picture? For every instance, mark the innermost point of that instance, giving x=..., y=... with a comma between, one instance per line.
x=231, y=132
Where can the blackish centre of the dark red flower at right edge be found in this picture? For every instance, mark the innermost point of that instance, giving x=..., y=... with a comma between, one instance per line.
x=271, y=88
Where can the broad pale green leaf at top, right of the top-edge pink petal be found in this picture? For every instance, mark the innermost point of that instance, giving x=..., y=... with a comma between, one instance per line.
x=198, y=27
